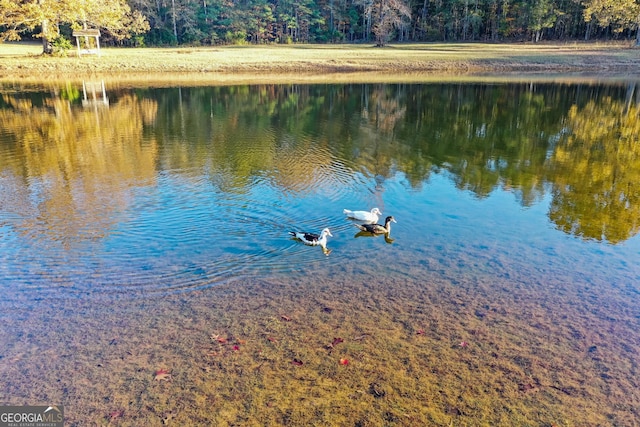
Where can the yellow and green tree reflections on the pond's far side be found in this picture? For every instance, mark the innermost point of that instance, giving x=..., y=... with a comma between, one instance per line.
x=577, y=142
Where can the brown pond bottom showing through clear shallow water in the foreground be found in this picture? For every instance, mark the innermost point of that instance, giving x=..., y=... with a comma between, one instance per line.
x=328, y=351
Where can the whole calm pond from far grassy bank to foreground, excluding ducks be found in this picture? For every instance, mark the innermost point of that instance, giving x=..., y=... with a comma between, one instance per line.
x=148, y=275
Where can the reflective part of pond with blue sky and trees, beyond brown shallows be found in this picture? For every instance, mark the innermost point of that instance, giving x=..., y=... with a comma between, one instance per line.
x=182, y=190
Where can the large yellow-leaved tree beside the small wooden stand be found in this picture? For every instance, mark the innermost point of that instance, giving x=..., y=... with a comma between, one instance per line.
x=20, y=16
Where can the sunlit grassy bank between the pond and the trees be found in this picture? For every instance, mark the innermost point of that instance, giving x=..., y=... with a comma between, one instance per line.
x=322, y=62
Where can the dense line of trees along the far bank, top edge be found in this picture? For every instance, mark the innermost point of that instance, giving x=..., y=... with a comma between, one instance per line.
x=211, y=22
